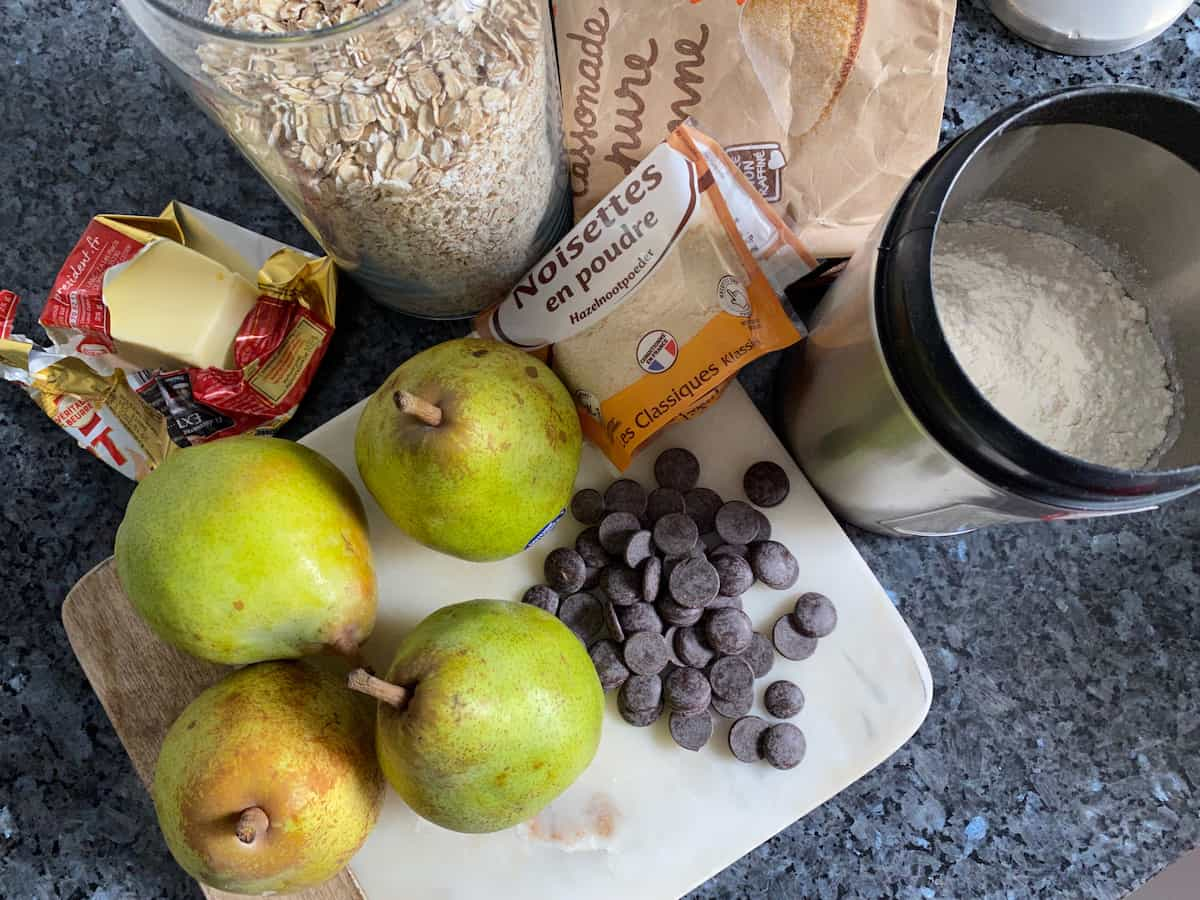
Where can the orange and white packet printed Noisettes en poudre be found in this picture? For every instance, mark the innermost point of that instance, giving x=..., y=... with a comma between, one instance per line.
x=659, y=296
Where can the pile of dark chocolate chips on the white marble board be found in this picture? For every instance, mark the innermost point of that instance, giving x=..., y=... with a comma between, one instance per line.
x=653, y=589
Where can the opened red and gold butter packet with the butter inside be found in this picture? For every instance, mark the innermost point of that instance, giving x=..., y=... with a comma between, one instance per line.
x=173, y=331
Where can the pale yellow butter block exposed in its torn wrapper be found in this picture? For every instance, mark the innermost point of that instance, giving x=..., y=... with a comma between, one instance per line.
x=171, y=308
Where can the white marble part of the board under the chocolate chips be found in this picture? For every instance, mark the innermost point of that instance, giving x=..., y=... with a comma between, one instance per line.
x=647, y=819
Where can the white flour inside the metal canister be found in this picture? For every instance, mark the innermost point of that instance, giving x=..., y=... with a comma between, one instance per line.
x=1053, y=341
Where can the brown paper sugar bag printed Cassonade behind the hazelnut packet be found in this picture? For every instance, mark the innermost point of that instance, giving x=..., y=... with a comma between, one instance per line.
x=827, y=106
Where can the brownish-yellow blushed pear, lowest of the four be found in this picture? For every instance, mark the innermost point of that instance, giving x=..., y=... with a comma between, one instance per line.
x=268, y=782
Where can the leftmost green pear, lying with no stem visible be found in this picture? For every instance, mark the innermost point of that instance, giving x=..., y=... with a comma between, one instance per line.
x=249, y=550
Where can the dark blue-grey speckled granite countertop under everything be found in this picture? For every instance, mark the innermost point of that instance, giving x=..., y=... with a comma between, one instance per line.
x=1063, y=754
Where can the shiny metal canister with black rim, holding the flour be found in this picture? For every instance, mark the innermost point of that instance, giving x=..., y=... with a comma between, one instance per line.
x=879, y=412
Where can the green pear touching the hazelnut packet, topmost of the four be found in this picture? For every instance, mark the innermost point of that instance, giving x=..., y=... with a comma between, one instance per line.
x=471, y=448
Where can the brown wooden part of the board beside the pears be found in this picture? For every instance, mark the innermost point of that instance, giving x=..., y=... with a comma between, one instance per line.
x=145, y=686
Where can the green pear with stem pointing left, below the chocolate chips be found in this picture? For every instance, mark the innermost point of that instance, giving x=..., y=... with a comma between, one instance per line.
x=489, y=712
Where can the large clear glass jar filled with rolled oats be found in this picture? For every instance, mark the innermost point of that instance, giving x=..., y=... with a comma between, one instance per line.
x=419, y=141
